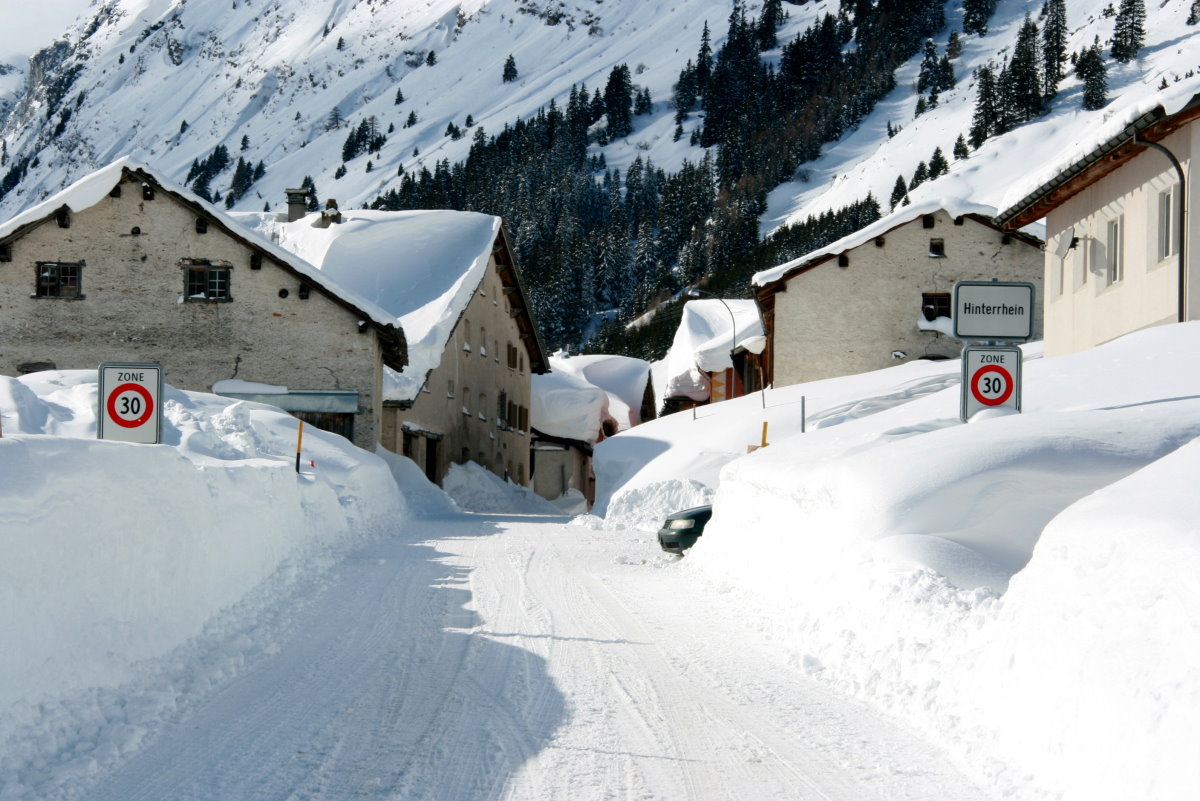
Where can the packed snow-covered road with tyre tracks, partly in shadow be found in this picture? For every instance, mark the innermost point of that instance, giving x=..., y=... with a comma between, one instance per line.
x=508, y=658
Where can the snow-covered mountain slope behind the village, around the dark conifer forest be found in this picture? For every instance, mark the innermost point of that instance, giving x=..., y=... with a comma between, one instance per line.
x=273, y=71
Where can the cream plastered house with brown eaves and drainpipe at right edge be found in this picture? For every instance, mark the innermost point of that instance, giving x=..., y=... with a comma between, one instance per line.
x=1121, y=249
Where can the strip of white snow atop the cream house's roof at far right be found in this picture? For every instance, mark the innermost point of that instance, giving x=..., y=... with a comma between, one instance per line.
x=1111, y=134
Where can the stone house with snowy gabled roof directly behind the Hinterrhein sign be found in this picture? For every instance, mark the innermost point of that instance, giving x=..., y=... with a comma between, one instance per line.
x=883, y=296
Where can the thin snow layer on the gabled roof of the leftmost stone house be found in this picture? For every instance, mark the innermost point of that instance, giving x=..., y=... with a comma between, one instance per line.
x=95, y=188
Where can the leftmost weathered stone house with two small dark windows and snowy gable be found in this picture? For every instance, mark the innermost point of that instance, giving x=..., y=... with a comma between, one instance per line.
x=127, y=267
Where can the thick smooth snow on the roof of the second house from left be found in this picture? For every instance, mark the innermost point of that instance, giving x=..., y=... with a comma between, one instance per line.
x=422, y=267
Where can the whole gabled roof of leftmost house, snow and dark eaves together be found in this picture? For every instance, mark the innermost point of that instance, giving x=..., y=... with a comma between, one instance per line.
x=97, y=186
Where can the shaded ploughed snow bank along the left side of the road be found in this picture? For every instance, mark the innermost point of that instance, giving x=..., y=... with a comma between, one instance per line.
x=118, y=553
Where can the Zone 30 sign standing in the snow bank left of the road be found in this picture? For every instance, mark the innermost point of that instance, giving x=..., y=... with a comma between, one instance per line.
x=129, y=400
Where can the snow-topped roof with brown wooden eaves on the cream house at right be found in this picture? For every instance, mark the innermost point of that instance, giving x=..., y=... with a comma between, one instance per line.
x=1102, y=154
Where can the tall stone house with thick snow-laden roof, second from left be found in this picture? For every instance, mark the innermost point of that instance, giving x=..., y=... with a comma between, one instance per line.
x=451, y=280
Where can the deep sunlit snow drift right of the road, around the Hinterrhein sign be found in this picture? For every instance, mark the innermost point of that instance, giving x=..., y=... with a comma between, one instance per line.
x=1021, y=587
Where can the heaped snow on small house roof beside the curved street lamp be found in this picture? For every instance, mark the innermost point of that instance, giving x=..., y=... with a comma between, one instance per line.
x=704, y=344
